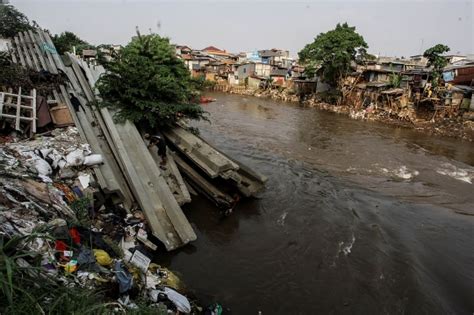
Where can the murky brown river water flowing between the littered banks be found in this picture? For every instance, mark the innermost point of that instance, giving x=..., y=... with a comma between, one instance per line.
x=357, y=218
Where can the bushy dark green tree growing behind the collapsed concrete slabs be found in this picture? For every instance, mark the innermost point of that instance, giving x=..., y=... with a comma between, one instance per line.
x=147, y=84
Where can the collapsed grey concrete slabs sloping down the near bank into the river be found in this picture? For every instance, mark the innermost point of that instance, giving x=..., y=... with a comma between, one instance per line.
x=127, y=172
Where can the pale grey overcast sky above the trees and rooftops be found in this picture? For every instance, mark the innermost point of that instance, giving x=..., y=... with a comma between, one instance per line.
x=396, y=28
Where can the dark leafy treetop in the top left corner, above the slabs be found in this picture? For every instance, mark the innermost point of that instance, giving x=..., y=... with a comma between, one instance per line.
x=12, y=21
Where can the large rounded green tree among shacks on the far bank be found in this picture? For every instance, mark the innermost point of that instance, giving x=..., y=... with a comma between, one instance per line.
x=331, y=53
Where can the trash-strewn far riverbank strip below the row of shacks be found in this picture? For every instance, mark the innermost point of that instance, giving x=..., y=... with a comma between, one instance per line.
x=456, y=127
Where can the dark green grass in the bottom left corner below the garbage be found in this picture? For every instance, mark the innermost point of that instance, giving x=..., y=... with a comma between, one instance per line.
x=26, y=289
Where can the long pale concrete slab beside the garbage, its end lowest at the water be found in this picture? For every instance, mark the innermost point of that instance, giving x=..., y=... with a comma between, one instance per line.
x=166, y=219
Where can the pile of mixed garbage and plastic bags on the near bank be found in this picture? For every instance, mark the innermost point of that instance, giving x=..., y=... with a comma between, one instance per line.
x=49, y=201
